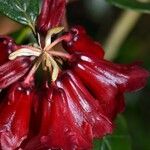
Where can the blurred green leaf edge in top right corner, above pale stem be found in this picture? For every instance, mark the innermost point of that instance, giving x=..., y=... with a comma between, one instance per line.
x=132, y=4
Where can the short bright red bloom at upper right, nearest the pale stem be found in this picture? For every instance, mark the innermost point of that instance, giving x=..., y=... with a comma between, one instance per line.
x=79, y=41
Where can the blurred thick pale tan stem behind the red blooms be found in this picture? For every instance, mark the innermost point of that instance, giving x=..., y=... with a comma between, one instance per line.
x=120, y=31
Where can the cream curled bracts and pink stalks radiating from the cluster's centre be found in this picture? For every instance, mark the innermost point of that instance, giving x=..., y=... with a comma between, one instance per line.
x=46, y=56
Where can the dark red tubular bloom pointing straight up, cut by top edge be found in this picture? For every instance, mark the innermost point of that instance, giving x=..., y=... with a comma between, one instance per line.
x=51, y=15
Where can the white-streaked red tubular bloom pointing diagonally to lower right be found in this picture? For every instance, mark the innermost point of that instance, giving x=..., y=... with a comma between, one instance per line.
x=83, y=106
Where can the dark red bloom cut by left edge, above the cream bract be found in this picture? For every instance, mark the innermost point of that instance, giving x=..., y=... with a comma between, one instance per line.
x=7, y=45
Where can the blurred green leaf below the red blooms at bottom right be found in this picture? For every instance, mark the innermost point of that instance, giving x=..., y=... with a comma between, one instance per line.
x=119, y=140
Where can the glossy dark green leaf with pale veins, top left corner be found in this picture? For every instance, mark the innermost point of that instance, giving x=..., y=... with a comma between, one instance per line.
x=22, y=11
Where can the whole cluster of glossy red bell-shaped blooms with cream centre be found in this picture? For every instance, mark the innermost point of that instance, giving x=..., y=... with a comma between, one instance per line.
x=79, y=96
